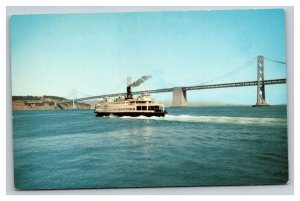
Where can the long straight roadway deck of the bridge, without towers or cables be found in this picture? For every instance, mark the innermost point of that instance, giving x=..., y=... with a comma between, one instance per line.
x=196, y=87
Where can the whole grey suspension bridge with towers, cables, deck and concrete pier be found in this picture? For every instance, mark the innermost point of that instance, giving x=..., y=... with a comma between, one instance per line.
x=180, y=93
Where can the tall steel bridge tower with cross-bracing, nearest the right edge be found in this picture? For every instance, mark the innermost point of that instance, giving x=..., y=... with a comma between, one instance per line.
x=261, y=98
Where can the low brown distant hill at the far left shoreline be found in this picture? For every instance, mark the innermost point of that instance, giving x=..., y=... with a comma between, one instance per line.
x=43, y=103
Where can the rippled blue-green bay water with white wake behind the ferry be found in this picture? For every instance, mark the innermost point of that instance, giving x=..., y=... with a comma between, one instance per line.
x=197, y=146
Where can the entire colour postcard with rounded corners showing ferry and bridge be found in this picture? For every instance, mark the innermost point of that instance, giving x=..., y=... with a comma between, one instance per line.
x=149, y=99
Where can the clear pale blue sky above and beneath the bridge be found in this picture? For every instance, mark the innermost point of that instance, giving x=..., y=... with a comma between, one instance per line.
x=55, y=54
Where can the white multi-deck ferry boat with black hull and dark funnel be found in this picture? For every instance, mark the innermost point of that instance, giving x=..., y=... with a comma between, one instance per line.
x=143, y=105
